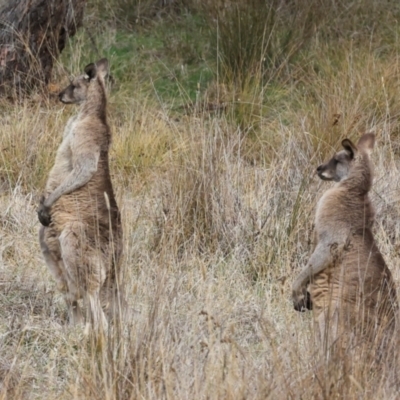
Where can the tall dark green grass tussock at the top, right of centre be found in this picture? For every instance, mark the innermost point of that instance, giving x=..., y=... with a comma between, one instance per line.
x=255, y=39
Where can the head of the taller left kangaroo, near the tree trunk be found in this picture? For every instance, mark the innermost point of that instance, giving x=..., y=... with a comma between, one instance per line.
x=76, y=92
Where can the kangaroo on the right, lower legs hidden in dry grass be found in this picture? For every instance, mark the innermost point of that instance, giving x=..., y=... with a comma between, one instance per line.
x=350, y=288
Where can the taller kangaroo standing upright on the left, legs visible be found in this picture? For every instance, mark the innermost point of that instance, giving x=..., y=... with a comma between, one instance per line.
x=81, y=233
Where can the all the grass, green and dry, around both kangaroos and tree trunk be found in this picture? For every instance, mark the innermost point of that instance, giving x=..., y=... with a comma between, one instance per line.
x=220, y=111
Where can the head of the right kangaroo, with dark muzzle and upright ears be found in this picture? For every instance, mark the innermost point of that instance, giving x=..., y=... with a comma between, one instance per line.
x=339, y=166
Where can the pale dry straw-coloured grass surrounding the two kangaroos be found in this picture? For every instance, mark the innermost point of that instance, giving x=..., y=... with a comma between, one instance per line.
x=216, y=222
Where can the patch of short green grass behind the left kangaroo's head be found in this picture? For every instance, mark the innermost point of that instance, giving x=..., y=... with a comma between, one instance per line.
x=167, y=60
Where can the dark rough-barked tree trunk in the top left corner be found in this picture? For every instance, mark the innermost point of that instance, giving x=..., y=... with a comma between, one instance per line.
x=32, y=35
